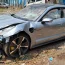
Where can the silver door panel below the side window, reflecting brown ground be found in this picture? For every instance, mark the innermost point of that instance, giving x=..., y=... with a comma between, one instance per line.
x=50, y=30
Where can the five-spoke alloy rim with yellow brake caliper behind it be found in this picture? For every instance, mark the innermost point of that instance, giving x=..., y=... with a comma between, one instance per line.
x=18, y=46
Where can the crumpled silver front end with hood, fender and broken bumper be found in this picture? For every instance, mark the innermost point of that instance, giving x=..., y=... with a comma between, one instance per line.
x=9, y=27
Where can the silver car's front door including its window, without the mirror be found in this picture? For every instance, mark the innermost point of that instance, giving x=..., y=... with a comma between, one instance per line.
x=50, y=30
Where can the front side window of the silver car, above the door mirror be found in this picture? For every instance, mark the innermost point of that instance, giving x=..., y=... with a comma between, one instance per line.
x=54, y=14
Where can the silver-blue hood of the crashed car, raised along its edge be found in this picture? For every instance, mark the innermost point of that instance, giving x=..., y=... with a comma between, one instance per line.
x=7, y=20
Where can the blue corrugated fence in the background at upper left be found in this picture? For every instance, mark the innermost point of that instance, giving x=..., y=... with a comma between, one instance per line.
x=15, y=2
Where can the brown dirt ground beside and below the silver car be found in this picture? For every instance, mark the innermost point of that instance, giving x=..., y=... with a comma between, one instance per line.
x=41, y=55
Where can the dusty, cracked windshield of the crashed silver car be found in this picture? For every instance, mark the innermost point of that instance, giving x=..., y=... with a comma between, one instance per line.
x=31, y=12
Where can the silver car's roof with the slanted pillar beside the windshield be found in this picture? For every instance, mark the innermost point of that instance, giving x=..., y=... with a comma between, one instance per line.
x=48, y=7
